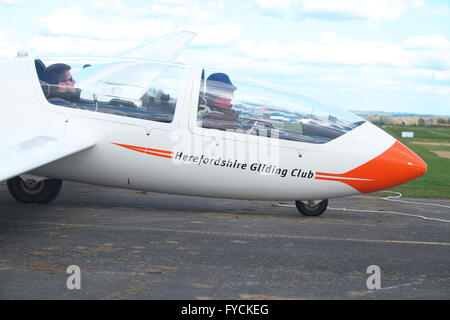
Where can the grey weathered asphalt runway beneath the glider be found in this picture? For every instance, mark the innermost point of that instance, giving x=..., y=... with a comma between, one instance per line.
x=137, y=245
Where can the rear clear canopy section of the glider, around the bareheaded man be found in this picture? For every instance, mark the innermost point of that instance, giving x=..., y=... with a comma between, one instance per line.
x=126, y=88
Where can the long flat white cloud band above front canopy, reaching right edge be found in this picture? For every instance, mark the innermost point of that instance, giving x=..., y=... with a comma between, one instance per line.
x=332, y=49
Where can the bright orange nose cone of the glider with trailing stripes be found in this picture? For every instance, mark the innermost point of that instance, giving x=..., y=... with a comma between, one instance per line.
x=395, y=166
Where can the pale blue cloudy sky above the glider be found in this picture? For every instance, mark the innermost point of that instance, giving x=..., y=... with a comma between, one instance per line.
x=384, y=55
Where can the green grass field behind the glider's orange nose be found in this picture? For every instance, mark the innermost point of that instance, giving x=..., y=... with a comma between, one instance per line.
x=436, y=182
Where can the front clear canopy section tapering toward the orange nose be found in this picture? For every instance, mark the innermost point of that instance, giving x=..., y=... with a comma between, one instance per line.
x=244, y=106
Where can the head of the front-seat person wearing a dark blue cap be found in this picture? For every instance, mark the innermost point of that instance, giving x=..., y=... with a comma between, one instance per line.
x=220, y=90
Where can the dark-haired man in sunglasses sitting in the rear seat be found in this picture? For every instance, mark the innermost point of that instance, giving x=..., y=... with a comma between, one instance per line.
x=62, y=90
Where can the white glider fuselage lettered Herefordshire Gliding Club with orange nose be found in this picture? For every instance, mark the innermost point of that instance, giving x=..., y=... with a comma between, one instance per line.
x=181, y=157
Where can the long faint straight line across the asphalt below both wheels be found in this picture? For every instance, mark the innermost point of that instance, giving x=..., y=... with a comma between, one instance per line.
x=246, y=235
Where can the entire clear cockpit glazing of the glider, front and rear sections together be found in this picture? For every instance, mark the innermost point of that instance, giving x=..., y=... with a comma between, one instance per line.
x=150, y=91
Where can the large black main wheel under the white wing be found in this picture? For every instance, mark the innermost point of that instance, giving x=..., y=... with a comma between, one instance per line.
x=41, y=192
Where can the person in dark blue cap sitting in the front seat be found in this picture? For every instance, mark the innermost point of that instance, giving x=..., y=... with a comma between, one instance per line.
x=219, y=93
